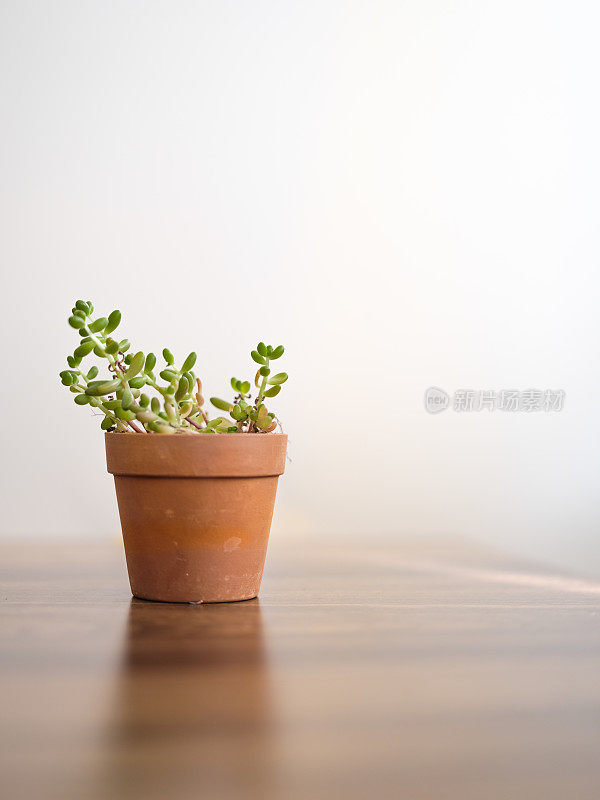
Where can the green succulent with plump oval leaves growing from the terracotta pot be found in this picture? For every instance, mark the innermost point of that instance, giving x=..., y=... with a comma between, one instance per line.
x=122, y=397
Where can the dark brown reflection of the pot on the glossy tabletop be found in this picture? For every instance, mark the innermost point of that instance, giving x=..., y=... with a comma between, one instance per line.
x=192, y=711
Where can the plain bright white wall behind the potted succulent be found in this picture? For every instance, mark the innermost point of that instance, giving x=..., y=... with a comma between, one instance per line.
x=403, y=193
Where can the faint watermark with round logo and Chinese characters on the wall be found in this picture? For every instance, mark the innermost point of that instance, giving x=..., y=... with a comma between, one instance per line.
x=527, y=400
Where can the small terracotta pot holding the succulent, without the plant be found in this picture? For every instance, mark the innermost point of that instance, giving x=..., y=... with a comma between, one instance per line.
x=195, y=512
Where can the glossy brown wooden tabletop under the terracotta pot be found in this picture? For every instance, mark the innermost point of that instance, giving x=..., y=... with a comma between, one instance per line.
x=390, y=671
